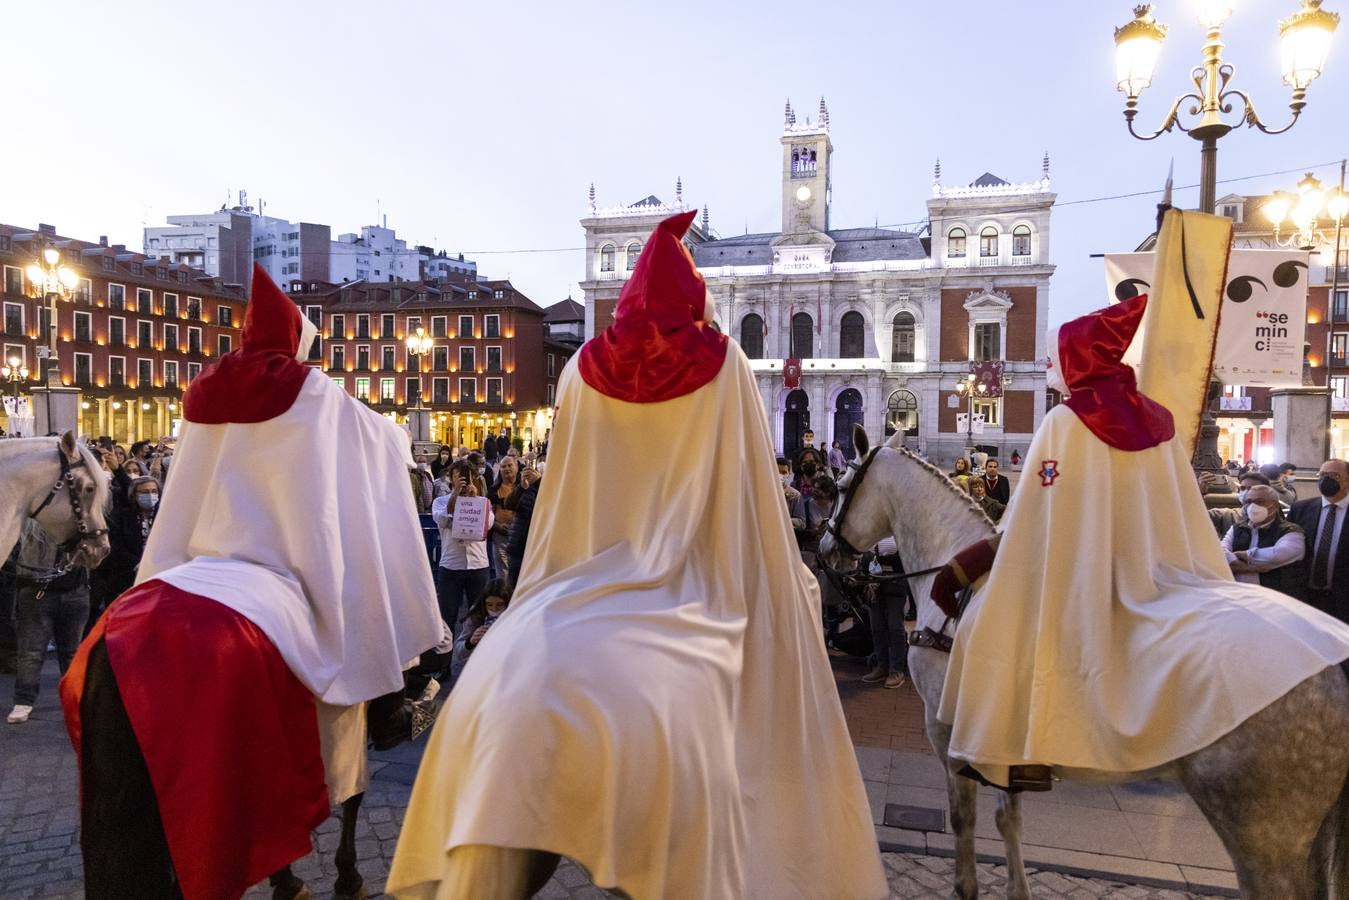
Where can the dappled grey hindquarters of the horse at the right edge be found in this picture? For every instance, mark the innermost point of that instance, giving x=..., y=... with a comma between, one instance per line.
x=1271, y=787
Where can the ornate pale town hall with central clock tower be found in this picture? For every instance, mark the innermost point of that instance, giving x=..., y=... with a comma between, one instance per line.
x=886, y=322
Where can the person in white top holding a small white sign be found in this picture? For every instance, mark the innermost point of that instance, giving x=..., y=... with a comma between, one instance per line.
x=465, y=519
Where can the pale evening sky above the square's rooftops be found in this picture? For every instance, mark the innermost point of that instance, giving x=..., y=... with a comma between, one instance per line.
x=481, y=128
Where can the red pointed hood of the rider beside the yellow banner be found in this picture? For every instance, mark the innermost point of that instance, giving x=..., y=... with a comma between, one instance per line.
x=1103, y=389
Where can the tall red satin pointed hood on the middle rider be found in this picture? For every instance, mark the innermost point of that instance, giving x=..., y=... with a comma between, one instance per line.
x=659, y=347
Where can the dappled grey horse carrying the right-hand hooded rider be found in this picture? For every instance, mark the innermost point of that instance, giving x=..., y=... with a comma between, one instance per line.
x=1275, y=790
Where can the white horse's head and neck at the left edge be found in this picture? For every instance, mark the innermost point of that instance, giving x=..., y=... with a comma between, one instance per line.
x=60, y=484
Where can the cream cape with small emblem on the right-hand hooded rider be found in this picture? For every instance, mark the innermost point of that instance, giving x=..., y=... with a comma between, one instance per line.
x=1111, y=634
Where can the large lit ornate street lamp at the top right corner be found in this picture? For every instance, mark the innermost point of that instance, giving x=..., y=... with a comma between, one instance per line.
x=1305, y=41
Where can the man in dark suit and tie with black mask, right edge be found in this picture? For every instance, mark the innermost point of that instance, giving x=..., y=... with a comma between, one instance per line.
x=1324, y=574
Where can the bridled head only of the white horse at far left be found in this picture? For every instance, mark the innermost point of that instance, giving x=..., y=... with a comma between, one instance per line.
x=74, y=512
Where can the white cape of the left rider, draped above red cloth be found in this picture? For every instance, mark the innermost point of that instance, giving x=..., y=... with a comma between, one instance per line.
x=279, y=522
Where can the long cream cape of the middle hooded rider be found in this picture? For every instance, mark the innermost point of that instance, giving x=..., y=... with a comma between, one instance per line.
x=658, y=702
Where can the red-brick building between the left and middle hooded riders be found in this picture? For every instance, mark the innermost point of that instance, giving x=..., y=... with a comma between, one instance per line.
x=492, y=366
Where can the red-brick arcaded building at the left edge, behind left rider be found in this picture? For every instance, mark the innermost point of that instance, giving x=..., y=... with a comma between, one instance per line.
x=133, y=338
